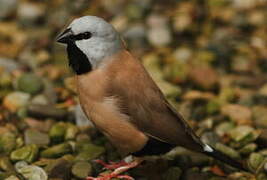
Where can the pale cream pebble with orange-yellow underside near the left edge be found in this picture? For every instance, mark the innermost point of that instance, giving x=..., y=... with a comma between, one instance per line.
x=15, y=100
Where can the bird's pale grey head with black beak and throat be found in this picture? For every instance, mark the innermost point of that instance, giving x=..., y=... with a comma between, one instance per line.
x=89, y=40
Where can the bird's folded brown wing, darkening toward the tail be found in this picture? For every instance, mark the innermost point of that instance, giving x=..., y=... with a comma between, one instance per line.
x=144, y=103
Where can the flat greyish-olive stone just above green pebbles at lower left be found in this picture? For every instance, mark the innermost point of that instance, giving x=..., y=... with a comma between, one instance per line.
x=33, y=136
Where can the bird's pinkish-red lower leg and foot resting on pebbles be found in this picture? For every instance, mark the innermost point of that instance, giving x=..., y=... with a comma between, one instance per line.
x=116, y=173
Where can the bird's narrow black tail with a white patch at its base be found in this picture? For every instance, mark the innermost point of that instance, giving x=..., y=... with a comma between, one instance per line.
x=208, y=150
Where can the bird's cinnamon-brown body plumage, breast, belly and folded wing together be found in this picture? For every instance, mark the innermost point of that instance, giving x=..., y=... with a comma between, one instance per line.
x=128, y=107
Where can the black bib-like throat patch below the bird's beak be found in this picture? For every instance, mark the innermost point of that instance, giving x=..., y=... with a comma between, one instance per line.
x=78, y=60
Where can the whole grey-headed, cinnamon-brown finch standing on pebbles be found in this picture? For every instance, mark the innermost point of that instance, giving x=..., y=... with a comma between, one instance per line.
x=122, y=100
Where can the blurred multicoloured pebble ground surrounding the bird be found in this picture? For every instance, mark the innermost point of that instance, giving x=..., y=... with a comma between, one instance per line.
x=209, y=57
